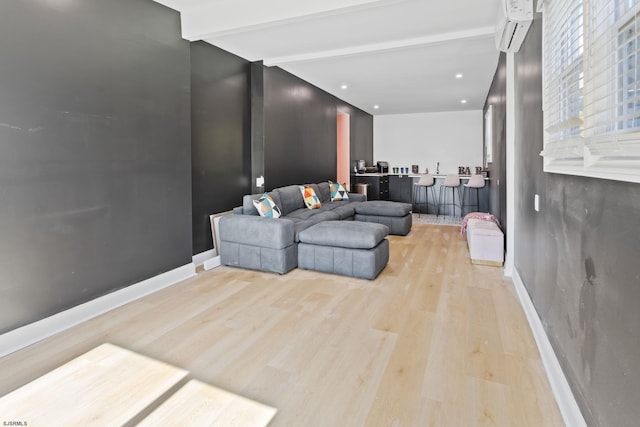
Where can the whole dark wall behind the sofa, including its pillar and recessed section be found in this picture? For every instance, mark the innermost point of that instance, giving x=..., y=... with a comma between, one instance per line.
x=249, y=120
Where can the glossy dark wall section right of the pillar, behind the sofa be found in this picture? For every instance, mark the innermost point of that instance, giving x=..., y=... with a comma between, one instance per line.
x=300, y=130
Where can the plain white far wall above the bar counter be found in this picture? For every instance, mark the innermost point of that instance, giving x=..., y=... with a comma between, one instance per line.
x=451, y=138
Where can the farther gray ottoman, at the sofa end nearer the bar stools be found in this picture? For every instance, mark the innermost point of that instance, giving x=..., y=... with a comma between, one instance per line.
x=395, y=215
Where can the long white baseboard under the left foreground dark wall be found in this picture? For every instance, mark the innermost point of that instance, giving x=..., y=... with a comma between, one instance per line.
x=29, y=334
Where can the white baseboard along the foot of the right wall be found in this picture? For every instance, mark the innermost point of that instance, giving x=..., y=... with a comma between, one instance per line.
x=560, y=387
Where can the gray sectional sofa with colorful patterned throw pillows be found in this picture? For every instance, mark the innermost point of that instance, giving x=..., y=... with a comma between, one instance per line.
x=271, y=244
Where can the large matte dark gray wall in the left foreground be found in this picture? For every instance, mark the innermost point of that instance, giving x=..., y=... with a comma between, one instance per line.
x=95, y=159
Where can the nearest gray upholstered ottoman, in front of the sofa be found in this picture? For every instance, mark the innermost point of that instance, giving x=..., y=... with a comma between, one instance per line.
x=350, y=248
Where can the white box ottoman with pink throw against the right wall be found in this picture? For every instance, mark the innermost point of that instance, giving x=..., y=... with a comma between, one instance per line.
x=486, y=242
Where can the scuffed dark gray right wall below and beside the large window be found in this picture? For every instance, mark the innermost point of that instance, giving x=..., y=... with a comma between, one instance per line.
x=579, y=260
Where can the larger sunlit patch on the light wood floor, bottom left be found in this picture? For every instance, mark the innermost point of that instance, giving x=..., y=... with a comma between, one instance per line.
x=123, y=382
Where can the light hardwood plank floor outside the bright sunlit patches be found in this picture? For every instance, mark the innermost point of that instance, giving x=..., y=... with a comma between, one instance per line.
x=434, y=340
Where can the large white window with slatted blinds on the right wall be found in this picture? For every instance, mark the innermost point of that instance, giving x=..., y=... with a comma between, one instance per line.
x=599, y=150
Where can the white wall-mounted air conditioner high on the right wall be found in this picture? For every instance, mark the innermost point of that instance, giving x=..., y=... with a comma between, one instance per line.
x=514, y=20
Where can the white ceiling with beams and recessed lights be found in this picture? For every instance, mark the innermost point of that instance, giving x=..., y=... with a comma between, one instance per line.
x=402, y=55
